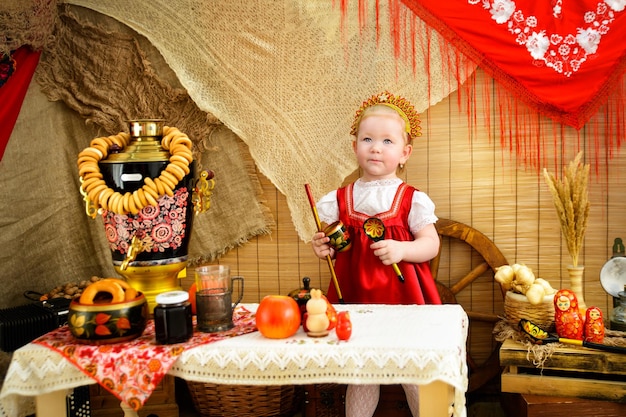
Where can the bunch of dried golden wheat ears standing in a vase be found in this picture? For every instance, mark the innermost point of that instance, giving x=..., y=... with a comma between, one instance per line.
x=571, y=201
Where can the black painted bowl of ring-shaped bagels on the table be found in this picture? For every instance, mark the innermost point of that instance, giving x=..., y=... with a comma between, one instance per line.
x=108, y=311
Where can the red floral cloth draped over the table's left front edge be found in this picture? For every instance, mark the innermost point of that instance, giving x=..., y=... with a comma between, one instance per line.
x=132, y=370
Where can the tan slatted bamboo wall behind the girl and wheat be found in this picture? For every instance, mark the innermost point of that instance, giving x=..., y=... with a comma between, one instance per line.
x=471, y=179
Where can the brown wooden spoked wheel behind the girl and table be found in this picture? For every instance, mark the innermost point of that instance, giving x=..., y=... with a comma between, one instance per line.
x=482, y=259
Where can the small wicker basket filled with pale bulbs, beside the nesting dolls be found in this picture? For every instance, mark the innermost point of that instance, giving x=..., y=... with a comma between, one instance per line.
x=527, y=297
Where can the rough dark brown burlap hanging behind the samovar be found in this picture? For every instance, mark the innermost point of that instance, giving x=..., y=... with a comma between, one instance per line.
x=105, y=74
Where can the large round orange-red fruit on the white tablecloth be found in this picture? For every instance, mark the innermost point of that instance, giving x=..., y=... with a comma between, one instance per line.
x=278, y=316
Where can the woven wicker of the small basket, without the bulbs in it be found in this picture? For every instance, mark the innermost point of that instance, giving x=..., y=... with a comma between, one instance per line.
x=517, y=306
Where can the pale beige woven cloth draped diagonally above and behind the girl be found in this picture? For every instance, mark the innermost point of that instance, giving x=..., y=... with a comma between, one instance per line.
x=286, y=78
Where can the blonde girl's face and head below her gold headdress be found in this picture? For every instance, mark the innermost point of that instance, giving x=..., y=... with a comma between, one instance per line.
x=381, y=146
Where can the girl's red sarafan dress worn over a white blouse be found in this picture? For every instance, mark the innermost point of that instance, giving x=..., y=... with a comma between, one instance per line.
x=362, y=277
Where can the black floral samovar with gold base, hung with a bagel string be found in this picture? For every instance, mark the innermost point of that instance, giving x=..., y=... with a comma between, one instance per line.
x=144, y=187
